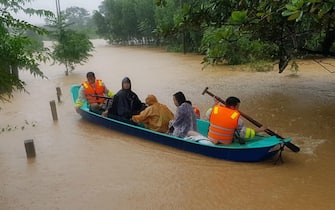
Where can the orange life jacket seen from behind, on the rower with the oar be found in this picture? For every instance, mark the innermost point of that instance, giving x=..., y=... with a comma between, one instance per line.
x=223, y=122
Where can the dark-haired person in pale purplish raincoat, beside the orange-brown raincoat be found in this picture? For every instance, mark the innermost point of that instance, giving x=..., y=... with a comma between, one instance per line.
x=185, y=119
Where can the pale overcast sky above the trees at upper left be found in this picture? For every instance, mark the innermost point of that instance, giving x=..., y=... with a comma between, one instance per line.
x=89, y=5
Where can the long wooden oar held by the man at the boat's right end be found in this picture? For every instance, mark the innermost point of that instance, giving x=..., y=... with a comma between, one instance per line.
x=290, y=145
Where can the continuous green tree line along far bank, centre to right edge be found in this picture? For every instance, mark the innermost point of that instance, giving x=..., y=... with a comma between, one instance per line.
x=230, y=31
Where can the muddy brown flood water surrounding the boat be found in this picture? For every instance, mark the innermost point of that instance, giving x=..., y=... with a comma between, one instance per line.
x=80, y=165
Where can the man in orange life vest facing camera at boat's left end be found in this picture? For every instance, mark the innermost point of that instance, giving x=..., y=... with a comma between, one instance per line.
x=89, y=90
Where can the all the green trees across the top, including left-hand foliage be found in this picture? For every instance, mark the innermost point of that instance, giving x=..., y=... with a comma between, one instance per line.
x=230, y=31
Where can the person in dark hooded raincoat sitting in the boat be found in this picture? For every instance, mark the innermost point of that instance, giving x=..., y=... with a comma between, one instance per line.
x=125, y=103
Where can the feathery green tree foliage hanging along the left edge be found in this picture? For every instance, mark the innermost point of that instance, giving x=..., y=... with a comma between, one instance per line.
x=18, y=51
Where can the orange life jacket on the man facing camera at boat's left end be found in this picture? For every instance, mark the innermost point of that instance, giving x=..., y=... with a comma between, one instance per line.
x=99, y=89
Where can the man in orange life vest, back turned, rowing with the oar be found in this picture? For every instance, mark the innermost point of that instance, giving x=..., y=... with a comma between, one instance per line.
x=225, y=122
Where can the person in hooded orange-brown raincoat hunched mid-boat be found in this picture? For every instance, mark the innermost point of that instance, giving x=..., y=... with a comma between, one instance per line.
x=155, y=117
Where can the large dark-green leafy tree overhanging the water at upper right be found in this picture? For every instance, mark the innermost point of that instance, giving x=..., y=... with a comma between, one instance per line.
x=277, y=30
